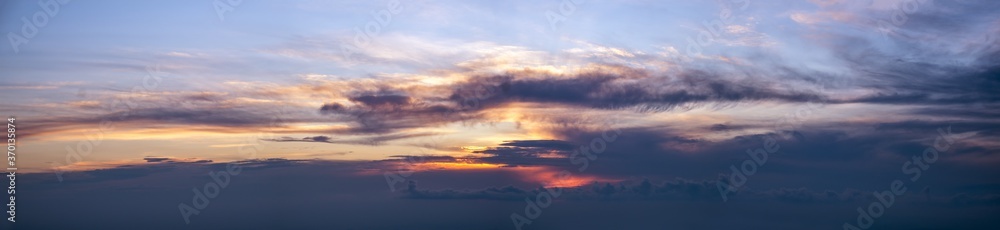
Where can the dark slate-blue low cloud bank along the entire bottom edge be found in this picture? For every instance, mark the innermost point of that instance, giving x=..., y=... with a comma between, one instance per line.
x=153, y=192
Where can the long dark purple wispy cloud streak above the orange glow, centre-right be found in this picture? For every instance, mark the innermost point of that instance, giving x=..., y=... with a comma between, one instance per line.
x=641, y=91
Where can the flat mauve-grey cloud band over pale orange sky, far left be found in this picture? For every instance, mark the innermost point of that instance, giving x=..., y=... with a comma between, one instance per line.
x=166, y=112
